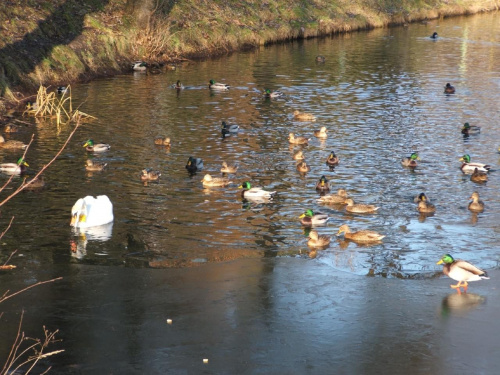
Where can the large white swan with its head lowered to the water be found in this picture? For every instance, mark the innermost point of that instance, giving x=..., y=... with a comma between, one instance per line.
x=91, y=211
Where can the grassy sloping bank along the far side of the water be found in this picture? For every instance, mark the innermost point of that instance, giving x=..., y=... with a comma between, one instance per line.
x=56, y=42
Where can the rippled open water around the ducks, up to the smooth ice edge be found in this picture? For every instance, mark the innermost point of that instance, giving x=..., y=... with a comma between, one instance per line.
x=379, y=93
